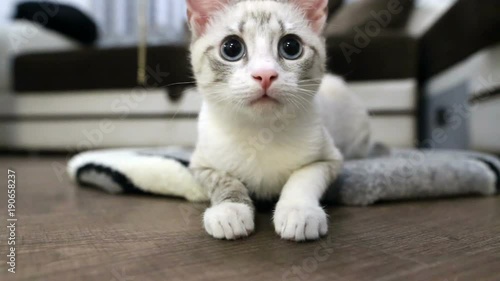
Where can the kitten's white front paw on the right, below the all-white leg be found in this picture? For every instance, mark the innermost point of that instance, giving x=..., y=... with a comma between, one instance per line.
x=300, y=222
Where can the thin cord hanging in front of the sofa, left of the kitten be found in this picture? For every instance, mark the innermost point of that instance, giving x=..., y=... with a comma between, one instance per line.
x=143, y=41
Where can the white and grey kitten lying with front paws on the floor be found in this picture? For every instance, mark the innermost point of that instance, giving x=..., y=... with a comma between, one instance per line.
x=259, y=65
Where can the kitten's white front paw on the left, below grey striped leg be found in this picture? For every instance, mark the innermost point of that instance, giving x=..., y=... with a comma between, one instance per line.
x=229, y=221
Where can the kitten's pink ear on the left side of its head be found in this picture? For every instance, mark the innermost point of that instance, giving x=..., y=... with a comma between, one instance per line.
x=200, y=11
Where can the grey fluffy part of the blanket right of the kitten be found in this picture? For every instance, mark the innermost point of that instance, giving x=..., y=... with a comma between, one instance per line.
x=413, y=174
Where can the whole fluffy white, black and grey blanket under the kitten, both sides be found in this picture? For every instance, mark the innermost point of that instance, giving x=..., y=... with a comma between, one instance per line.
x=400, y=175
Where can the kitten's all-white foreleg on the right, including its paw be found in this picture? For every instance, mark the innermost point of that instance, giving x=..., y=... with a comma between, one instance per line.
x=298, y=215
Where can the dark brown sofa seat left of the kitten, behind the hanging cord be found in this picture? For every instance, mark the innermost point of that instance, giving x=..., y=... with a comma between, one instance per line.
x=92, y=68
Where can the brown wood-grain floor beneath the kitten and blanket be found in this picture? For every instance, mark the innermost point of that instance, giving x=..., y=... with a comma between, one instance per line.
x=69, y=233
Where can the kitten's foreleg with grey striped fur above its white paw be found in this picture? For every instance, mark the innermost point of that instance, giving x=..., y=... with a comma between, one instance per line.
x=231, y=215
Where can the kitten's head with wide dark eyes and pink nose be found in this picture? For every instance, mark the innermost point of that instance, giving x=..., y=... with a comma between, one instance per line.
x=258, y=56
